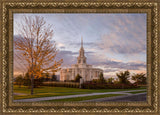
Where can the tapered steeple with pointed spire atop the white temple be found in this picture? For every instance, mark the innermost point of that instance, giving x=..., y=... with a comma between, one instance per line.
x=81, y=58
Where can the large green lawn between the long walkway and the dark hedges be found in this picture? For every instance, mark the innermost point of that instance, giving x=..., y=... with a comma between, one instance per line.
x=45, y=91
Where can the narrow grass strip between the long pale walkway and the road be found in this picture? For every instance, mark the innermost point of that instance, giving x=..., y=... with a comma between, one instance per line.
x=84, y=98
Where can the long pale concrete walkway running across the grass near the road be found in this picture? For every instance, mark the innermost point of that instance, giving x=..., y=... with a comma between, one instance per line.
x=73, y=96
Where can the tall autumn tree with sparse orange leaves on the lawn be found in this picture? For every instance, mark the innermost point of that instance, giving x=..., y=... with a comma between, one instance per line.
x=34, y=45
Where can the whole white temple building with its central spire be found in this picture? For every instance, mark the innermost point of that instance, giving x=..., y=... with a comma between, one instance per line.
x=82, y=68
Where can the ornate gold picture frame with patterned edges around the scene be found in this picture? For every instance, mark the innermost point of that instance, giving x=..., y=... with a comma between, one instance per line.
x=8, y=7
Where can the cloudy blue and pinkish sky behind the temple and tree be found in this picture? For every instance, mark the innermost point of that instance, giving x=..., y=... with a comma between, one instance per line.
x=113, y=42
